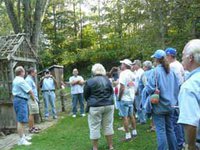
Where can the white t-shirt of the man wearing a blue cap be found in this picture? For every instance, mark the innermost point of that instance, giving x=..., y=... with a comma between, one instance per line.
x=177, y=67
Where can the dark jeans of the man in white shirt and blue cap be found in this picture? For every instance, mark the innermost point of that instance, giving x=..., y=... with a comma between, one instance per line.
x=178, y=129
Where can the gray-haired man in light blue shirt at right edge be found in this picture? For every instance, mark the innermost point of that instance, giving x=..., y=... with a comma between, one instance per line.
x=189, y=99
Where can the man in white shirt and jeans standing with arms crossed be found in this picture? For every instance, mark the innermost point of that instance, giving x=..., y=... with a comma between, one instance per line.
x=76, y=83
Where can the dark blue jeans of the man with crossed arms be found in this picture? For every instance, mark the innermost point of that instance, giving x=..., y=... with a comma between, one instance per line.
x=75, y=99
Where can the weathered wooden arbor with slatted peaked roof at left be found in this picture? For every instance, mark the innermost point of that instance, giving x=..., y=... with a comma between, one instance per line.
x=15, y=50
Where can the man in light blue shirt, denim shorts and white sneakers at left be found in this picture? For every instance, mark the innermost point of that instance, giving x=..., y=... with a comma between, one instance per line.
x=21, y=92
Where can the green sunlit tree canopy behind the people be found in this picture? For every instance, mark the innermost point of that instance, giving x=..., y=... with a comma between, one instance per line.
x=79, y=33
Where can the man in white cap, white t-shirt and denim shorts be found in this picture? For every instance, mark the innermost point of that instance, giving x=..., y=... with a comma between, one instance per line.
x=126, y=98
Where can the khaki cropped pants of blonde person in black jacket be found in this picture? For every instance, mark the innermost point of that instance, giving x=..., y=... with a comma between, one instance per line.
x=101, y=117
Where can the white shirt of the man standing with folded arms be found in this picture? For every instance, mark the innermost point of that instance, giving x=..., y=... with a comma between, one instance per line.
x=77, y=88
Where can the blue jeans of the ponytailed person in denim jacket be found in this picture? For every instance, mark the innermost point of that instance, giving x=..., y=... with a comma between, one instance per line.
x=165, y=132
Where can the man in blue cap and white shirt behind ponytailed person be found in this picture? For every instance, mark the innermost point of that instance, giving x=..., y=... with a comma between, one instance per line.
x=177, y=67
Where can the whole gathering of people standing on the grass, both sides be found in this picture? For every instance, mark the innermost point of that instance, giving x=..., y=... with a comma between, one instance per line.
x=163, y=90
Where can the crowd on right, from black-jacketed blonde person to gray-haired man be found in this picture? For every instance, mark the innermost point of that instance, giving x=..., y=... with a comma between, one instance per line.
x=165, y=90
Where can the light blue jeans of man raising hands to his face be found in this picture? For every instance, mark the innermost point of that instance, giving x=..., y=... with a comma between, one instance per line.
x=49, y=97
